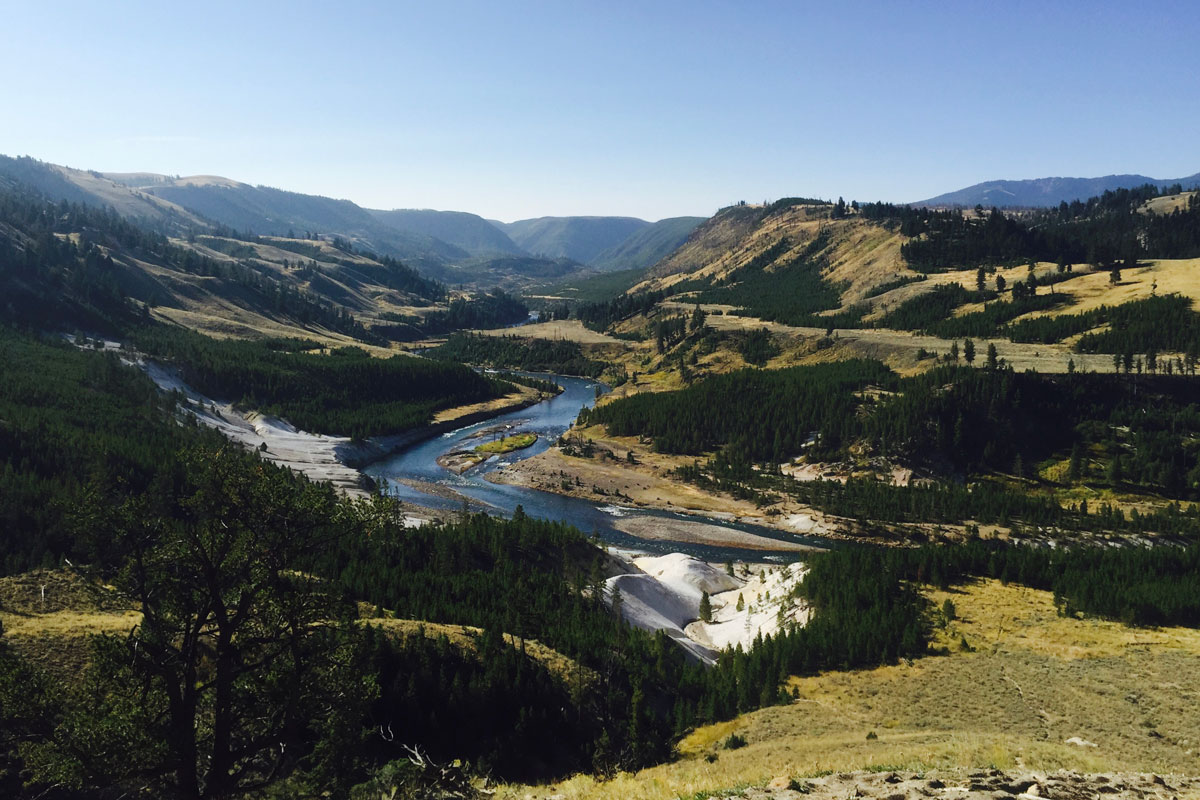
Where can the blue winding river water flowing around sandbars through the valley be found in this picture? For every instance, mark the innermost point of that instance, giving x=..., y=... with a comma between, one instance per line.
x=549, y=419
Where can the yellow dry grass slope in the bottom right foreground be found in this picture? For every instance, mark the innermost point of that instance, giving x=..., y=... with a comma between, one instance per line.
x=1034, y=681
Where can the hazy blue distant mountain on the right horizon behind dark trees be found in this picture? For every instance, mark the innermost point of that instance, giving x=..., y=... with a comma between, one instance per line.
x=1049, y=191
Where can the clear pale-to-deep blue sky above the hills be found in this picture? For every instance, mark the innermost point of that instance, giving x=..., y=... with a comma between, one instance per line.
x=649, y=110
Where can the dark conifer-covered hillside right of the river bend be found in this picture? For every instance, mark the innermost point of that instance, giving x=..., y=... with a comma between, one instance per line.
x=1131, y=431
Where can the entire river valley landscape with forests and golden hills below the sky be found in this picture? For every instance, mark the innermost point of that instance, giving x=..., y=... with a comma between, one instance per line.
x=821, y=488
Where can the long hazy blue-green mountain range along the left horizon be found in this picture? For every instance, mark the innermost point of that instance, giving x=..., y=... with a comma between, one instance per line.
x=455, y=248
